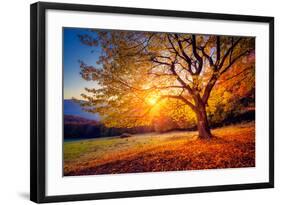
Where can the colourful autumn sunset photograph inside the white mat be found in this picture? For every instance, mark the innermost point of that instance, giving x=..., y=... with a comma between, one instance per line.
x=148, y=101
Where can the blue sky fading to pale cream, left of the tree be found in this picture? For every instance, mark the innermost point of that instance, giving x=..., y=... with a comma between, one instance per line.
x=73, y=51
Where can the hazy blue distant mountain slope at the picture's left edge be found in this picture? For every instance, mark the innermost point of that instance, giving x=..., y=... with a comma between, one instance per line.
x=74, y=109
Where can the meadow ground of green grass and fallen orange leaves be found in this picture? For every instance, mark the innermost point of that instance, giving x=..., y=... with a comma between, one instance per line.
x=233, y=146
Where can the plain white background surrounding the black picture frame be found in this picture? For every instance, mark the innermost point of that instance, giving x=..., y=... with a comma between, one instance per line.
x=14, y=103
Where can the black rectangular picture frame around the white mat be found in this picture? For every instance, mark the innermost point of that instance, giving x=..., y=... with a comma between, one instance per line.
x=38, y=103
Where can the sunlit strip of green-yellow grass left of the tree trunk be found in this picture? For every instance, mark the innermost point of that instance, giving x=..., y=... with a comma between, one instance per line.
x=76, y=150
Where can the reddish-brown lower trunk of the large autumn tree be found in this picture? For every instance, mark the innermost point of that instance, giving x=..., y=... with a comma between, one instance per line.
x=202, y=123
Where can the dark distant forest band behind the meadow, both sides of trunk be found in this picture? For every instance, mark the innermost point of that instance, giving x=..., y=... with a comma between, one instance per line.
x=80, y=128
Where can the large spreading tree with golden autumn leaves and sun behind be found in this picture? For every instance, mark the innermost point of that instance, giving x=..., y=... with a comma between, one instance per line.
x=141, y=73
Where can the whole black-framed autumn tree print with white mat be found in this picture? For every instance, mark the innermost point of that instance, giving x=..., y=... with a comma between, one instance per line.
x=129, y=102
